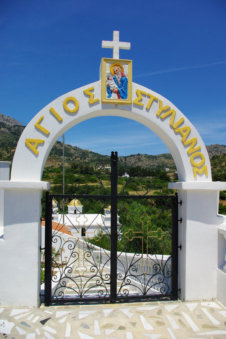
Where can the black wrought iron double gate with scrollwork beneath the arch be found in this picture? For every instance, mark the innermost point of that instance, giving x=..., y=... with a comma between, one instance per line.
x=127, y=249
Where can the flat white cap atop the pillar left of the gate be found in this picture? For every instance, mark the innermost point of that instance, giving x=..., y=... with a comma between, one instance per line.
x=24, y=185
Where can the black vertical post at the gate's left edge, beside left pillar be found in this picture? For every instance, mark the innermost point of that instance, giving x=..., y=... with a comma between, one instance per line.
x=48, y=250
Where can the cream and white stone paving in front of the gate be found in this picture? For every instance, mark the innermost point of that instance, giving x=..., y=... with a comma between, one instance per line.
x=153, y=320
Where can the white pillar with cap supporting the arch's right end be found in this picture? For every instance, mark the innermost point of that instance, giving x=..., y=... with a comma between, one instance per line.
x=198, y=236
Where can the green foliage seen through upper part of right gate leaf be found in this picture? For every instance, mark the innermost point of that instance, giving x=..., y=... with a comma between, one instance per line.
x=145, y=228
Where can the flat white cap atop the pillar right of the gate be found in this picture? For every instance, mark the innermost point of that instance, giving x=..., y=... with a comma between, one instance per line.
x=193, y=186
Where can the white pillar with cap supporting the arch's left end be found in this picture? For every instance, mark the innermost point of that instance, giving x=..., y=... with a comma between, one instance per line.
x=20, y=246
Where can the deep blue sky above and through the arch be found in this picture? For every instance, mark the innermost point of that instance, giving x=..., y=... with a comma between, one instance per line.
x=49, y=47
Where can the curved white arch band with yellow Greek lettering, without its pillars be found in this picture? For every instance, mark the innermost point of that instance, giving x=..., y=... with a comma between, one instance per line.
x=149, y=108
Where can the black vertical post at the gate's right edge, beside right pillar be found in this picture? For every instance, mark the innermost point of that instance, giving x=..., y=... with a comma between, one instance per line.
x=174, y=267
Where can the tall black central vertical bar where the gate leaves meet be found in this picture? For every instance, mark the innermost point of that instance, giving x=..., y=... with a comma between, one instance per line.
x=114, y=177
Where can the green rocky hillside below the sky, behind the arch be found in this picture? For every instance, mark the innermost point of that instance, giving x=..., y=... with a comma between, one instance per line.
x=137, y=164
